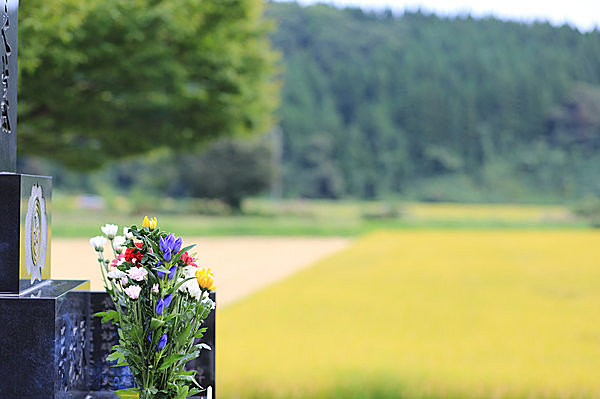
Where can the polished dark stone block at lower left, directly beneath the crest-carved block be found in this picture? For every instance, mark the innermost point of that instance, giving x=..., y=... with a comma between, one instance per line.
x=44, y=341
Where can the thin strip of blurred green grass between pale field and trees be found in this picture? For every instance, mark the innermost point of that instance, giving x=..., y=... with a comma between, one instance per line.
x=313, y=218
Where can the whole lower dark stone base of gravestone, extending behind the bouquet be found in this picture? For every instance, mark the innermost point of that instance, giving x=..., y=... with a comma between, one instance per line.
x=52, y=347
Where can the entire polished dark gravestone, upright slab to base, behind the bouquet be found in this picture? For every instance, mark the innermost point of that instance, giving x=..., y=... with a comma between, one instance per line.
x=51, y=346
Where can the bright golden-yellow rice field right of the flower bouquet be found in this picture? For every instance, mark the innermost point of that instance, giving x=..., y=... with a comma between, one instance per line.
x=424, y=314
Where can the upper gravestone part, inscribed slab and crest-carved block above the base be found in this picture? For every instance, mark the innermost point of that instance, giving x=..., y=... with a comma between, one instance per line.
x=24, y=199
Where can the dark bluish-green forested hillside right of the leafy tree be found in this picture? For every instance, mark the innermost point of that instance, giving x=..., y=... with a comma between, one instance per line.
x=438, y=108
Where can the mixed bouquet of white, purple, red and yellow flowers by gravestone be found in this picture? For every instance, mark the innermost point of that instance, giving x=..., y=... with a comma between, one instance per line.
x=161, y=299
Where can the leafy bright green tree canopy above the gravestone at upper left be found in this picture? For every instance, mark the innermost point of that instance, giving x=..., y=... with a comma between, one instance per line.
x=106, y=79
